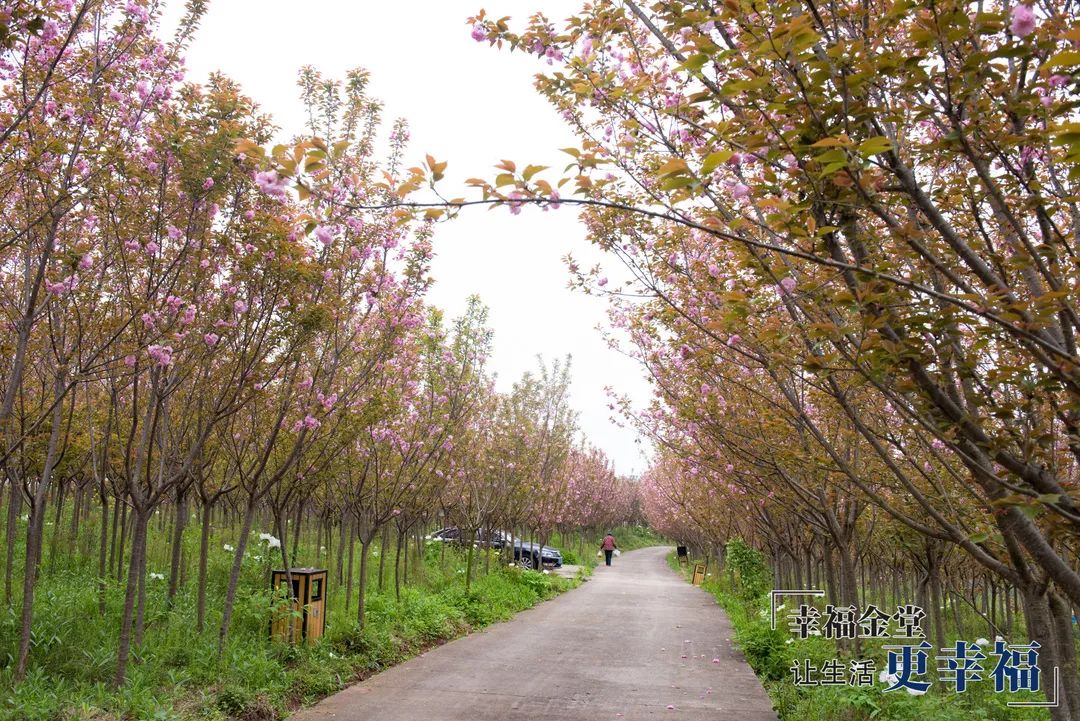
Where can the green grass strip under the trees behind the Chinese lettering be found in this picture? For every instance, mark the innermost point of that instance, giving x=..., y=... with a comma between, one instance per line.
x=772, y=655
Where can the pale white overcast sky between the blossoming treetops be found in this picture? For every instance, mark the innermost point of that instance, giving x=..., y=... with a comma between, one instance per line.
x=470, y=105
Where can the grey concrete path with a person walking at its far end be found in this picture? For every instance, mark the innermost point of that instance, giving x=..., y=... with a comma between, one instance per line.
x=634, y=643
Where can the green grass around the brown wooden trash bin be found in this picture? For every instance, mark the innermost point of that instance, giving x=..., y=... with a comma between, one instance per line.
x=178, y=674
